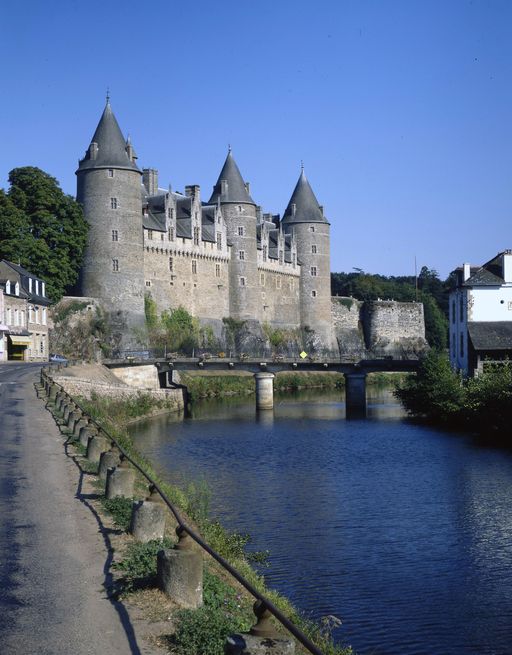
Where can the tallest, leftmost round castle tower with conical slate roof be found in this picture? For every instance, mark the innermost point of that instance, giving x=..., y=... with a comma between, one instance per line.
x=109, y=190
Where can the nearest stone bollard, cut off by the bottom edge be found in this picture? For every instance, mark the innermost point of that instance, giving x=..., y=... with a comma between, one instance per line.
x=262, y=639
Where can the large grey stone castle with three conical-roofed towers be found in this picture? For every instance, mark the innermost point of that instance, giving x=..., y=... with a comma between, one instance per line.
x=220, y=259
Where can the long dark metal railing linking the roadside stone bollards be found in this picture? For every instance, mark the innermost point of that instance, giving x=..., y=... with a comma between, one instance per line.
x=182, y=526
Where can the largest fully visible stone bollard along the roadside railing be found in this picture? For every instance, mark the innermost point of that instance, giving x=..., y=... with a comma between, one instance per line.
x=180, y=573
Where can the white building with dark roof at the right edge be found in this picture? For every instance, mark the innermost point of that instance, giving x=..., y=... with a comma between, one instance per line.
x=481, y=314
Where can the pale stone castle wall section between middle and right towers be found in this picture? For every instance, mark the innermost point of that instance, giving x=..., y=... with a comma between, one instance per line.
x=279, y=297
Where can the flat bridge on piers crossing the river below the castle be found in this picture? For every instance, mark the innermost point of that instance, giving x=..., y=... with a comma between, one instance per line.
x=355, y=372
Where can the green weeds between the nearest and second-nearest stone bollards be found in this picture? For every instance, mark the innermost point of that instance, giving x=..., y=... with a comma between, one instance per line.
x=205, y=630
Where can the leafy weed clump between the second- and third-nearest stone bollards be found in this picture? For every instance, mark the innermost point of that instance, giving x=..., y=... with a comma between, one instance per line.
x=139, y=563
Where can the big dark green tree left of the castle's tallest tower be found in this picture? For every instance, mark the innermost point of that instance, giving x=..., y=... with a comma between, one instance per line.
x=42, y=229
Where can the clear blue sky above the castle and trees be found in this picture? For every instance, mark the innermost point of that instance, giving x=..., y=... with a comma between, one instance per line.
x=401, y=110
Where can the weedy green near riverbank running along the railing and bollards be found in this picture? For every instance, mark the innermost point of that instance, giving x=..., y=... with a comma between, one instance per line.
x=227, y=607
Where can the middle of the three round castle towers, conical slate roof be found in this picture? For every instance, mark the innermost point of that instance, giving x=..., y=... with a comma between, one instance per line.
x=239, y=212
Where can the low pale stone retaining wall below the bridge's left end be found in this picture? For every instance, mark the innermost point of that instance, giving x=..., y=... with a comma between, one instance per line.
x=83, y=387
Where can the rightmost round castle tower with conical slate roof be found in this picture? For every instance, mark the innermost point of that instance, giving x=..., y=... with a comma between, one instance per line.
x=305, y=219
